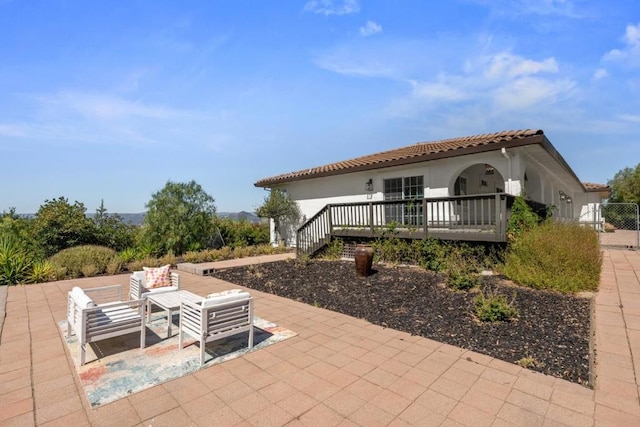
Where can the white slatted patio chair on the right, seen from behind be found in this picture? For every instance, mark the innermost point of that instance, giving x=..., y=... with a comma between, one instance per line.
x=218, y=316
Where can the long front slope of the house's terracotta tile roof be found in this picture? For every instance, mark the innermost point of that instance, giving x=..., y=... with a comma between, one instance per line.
x=415, y=153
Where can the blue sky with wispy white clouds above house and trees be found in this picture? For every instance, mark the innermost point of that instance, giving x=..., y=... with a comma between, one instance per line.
x=110, y=100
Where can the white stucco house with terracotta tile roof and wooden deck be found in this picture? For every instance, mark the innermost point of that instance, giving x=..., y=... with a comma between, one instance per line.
x=460, y=188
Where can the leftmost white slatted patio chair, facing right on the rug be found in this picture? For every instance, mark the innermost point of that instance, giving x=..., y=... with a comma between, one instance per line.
x=99, y=313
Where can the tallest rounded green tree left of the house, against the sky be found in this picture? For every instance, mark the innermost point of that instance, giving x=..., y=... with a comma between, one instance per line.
x=179, y=218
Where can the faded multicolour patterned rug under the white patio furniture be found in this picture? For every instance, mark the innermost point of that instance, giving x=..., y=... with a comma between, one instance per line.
x=122, y=368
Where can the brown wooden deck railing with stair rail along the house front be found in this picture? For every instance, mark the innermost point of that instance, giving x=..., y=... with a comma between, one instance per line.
x=480, y=217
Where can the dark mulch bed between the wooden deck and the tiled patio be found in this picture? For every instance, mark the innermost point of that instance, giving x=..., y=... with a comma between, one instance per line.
x=551, y=328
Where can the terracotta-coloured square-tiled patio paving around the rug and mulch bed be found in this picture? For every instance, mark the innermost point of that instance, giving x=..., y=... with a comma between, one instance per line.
x=338, y=371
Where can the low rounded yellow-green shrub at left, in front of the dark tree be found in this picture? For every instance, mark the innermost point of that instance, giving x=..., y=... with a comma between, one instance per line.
x=75, y=259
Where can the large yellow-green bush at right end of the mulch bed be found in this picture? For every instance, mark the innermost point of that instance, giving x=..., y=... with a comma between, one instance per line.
x=564, y=257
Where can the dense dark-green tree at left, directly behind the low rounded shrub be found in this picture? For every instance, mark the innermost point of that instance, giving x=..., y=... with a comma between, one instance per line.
x=59, y=225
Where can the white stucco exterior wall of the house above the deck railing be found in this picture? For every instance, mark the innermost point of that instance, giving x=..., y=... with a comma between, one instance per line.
x=439, y=176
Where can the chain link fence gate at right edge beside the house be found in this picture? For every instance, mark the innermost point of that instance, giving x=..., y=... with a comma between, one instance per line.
x=619, y=225
